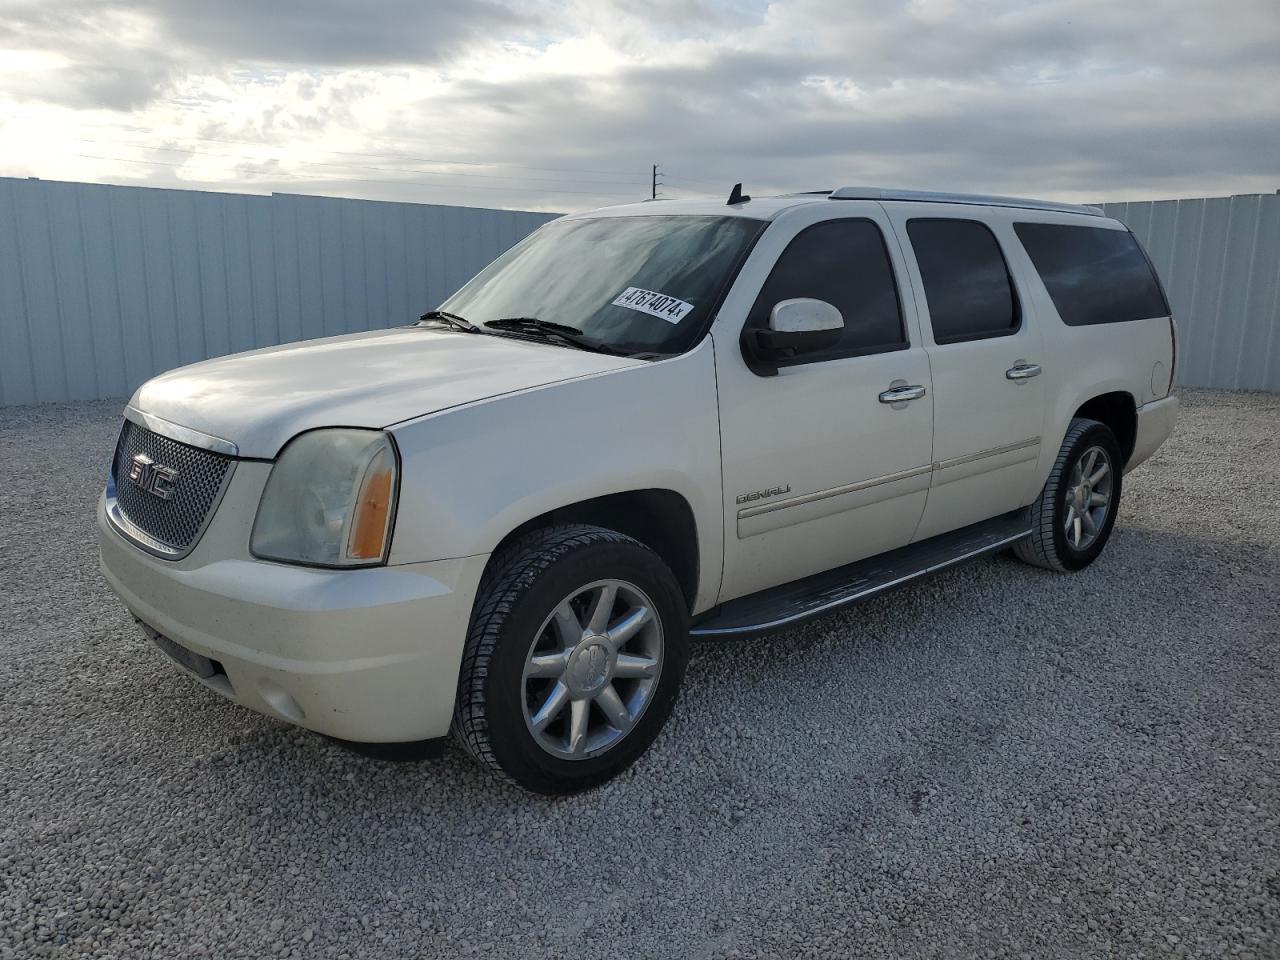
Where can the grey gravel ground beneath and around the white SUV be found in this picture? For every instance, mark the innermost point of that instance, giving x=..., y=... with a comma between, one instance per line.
x=999, y=762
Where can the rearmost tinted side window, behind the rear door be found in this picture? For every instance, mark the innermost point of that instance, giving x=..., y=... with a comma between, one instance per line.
x=1092, y=275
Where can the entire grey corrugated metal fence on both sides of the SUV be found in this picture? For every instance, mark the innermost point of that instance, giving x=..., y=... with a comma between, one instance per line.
x=103, y=287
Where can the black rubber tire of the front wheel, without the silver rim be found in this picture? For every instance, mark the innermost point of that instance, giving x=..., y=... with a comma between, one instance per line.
x=520, y=589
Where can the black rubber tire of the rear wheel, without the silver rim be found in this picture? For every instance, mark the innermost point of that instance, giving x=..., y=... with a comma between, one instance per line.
x=1049, y=546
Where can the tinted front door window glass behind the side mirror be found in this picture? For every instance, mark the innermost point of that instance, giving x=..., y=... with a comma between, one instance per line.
x=847, y=264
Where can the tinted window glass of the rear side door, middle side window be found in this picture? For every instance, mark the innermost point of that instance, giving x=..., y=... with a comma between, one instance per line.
x=966, y=280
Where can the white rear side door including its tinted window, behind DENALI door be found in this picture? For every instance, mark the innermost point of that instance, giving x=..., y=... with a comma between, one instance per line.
x=986, y=358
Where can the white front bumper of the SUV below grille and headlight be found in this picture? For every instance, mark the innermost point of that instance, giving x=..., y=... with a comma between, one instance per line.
x=369, y=656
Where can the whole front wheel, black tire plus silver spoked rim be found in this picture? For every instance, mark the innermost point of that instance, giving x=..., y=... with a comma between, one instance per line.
x=577, y=650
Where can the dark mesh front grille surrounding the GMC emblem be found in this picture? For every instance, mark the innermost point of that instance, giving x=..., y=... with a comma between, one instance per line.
x=198, y=482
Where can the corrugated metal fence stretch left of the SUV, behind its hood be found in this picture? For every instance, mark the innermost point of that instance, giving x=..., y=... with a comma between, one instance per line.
x=103, y=287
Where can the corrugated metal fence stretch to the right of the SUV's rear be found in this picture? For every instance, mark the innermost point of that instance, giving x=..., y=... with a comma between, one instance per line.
x=1220, y=262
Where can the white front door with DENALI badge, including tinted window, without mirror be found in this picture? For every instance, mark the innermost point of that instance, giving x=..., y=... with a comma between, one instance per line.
x=819, y=470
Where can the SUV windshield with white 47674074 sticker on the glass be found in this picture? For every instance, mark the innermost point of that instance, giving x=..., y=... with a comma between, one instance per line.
x=637, y=285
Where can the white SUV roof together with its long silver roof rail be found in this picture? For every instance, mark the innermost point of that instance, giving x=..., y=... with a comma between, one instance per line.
x=769, y=208
